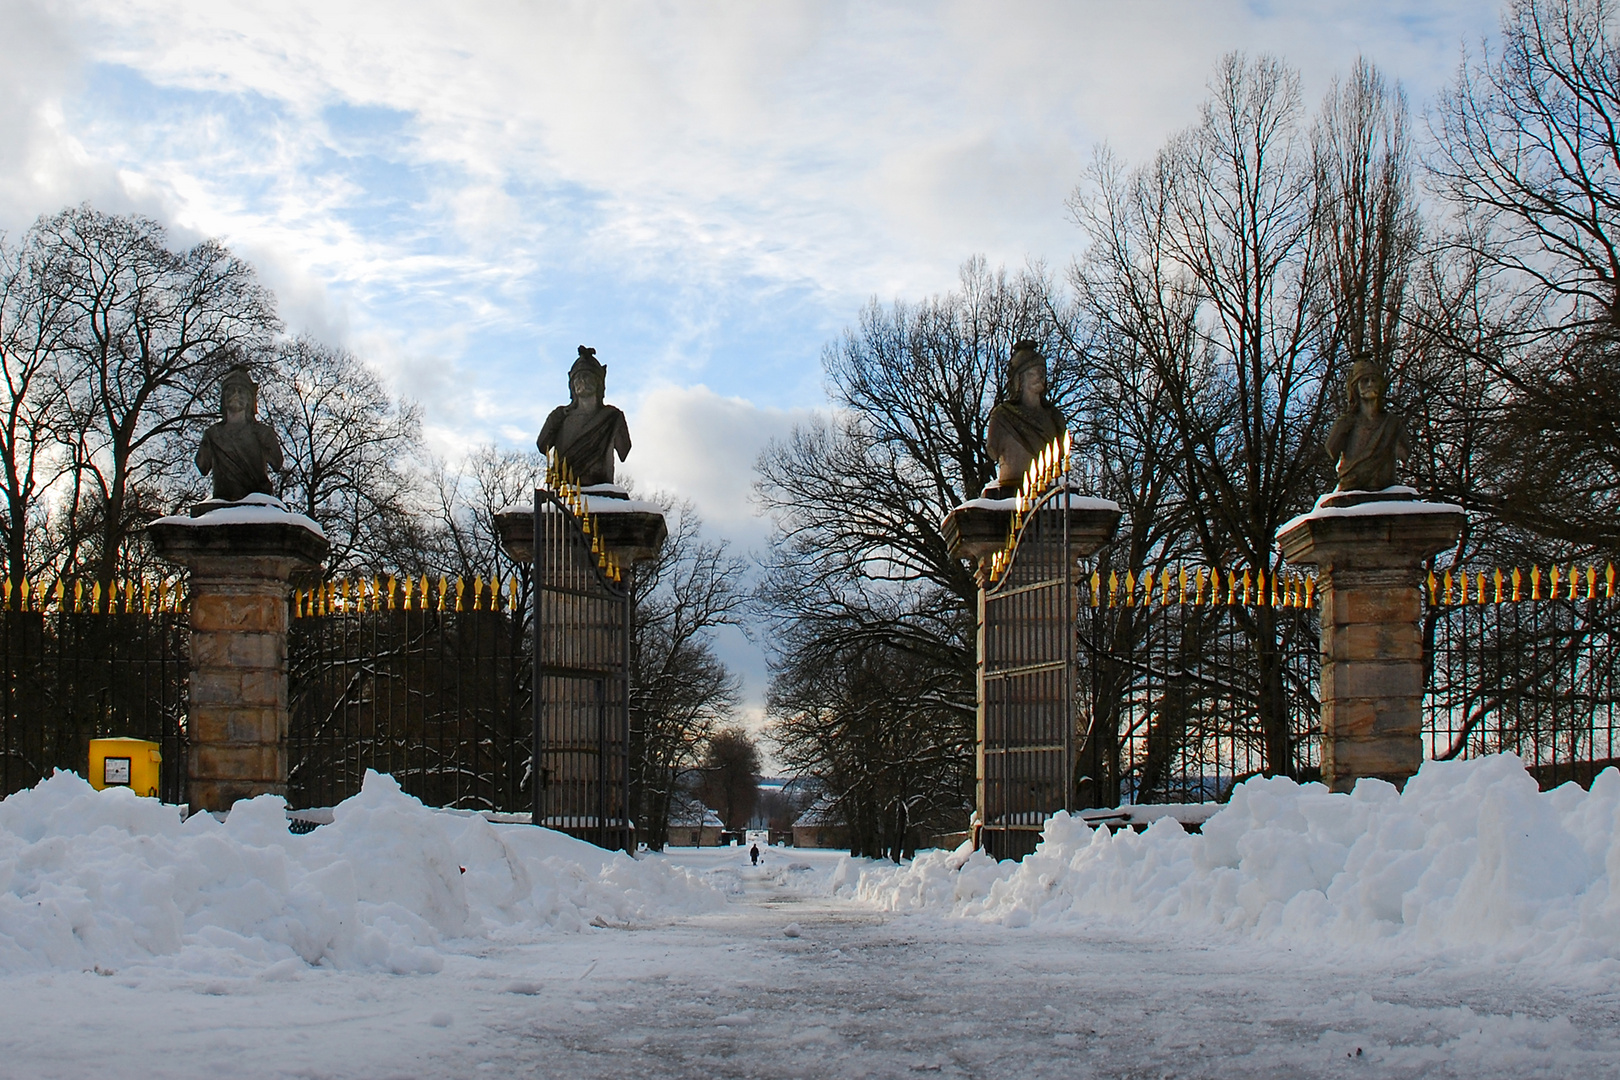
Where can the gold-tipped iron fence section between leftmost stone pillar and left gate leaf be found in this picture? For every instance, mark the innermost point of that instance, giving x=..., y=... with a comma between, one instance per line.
x=425, y=681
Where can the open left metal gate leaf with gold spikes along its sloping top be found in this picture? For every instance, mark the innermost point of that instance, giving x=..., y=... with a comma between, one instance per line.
x=582, y=676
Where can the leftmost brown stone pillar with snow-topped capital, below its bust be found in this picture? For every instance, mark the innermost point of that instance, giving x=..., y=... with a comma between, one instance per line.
x=241, y=561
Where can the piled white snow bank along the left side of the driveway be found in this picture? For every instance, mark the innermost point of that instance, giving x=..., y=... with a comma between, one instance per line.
x=106, y=878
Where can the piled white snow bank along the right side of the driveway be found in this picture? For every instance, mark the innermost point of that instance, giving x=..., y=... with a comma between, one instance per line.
x=1470, y=856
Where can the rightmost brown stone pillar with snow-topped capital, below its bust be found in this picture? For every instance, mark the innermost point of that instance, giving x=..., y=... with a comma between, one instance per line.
x=1370, y=563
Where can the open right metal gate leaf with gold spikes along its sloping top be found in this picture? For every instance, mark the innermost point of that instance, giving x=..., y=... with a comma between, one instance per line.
x=1026, y=741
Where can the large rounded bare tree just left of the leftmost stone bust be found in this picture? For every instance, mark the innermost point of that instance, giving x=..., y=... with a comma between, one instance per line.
x=147, y=334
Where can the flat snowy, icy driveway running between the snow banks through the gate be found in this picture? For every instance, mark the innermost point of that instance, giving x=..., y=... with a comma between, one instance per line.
x=858, y=993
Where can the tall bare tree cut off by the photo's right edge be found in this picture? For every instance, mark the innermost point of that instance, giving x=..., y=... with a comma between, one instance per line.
x=1528, y=151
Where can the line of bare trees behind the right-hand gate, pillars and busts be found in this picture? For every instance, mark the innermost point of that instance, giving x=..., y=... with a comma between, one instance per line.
x=1200, y=346
